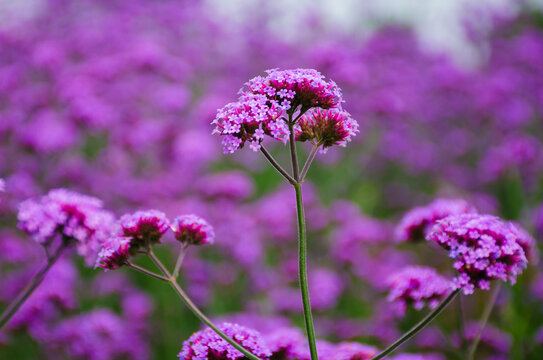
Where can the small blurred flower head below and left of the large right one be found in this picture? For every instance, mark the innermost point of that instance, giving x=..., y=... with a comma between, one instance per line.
x=417, y=286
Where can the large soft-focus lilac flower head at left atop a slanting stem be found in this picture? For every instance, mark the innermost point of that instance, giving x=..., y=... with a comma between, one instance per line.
x=74, y=217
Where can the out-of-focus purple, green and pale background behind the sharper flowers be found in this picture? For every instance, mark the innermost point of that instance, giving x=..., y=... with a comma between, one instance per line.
x=115, y=98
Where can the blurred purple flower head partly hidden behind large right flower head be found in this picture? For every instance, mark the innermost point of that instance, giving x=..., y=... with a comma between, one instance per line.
x=416, y=223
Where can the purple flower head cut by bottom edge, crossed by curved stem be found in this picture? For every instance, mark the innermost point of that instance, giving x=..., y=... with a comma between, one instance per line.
x=206, y=344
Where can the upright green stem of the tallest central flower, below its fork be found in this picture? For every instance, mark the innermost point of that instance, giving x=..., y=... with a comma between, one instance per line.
x=302, y=263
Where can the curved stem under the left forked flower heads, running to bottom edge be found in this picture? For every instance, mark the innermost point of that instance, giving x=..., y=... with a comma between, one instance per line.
x=199, y=314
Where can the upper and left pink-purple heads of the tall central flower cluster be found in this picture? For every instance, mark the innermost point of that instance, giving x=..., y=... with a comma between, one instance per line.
x=259, y=109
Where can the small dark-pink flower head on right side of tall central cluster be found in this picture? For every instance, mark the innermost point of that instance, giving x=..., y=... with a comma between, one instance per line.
x=326, y=128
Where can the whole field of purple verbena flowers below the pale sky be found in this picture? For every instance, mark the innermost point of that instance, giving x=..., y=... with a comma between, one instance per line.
x=116, y=99
